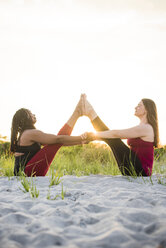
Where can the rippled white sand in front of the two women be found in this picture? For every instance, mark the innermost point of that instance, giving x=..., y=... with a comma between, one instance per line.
x=98, y=211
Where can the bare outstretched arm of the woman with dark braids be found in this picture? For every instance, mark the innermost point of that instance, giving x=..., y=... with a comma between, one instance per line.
x=49, y=139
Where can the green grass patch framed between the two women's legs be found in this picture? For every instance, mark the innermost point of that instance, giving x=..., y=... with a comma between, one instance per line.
x=83, y=160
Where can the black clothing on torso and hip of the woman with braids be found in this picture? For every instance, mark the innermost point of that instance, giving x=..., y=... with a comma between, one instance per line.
x=22, y=160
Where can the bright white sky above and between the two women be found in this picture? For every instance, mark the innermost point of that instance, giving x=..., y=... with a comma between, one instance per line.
x=52, y=51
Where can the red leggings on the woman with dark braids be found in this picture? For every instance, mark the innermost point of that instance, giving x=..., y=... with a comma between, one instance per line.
x=41, y=161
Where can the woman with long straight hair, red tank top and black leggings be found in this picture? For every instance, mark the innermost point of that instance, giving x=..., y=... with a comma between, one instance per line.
x=137, y=157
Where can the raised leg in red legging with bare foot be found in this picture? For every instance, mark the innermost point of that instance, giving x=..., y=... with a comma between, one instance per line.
x=40, y=163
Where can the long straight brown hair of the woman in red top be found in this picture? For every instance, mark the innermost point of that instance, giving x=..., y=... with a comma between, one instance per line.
x=152, y=118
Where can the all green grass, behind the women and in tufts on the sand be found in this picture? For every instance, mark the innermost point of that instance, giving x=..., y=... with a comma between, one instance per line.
x=94, y=158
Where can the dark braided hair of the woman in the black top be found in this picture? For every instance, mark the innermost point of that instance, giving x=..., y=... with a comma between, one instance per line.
x=21, y=121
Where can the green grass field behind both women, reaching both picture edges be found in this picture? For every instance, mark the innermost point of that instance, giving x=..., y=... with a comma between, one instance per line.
x=94, y=158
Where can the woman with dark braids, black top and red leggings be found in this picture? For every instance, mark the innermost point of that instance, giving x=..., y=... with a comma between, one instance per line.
x=26, y=142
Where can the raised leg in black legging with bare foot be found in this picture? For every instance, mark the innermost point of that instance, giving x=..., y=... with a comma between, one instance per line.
x=125, y=157
